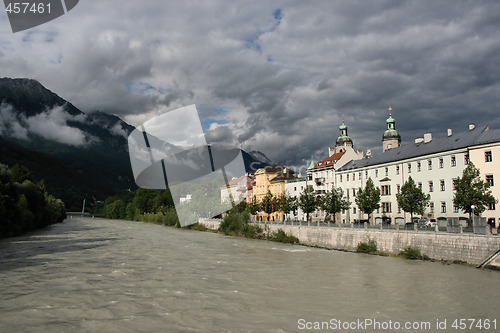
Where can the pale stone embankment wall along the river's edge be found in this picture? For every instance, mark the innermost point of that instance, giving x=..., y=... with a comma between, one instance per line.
x=468, y=248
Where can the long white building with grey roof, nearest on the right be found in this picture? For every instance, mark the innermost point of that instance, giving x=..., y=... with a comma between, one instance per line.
x=433, y=165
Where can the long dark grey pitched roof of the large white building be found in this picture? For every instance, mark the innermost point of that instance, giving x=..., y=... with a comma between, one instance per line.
x=460, y=140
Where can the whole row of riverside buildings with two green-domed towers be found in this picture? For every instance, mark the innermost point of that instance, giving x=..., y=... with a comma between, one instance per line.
x=433, y=164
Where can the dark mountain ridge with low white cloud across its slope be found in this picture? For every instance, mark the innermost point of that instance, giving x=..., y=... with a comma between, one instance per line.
x=80, y=156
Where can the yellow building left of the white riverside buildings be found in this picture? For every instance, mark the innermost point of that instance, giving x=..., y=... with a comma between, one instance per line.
x=270, y=179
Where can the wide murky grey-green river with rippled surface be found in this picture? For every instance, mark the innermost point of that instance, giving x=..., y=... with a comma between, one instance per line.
x=98, y=275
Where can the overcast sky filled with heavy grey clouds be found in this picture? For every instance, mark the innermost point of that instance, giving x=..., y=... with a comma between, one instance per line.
x=273, y=76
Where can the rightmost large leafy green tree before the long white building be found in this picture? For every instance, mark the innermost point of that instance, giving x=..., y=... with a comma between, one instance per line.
x=470, y=190
